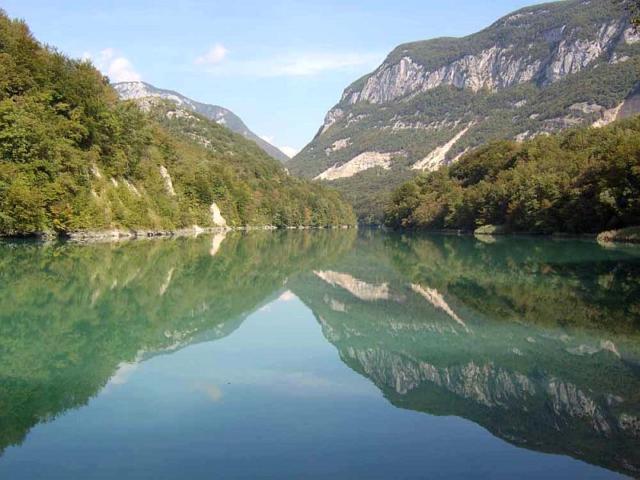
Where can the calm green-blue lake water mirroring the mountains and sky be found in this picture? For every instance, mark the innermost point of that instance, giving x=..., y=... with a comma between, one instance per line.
x=319, y=355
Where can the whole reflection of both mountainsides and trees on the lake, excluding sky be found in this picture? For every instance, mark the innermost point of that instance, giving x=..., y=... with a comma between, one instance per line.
x=536, y=340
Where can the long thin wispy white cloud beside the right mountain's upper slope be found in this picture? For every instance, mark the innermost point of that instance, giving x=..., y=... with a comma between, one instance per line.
x=296, y=65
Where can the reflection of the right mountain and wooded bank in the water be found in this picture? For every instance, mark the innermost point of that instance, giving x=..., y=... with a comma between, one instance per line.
x=521, y=340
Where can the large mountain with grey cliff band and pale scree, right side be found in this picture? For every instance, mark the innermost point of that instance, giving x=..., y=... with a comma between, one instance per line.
x=538, y=70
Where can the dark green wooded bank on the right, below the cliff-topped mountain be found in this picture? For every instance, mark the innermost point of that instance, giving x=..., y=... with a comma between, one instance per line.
x=582, y=181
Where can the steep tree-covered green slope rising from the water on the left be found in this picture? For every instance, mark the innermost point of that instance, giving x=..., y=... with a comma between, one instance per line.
x=75, y=157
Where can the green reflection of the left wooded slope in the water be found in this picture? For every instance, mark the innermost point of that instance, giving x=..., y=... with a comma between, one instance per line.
x=71, y=316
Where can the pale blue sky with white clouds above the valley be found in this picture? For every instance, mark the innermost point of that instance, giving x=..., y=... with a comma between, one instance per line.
x=278, y=64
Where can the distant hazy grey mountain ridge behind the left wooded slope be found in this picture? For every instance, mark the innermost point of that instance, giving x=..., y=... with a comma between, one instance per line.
x=223, y=116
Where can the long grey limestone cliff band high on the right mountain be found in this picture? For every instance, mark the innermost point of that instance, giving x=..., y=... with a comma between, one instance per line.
x=492, y=68
